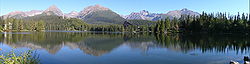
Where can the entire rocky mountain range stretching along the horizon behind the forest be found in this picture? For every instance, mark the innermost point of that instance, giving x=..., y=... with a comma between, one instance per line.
x=98, y=14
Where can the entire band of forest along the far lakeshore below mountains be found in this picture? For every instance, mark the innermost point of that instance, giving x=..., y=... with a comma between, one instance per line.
x=205, y=23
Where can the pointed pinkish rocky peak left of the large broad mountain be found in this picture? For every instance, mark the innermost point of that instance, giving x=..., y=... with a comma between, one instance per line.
x=53, y=10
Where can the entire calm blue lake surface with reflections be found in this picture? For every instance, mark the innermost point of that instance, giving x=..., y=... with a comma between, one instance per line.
x=115, y=48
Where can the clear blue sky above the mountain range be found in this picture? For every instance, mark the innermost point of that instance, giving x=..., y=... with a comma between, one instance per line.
x=125, y=7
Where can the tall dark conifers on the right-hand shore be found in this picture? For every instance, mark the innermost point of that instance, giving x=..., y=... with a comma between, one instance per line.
x=205, y=23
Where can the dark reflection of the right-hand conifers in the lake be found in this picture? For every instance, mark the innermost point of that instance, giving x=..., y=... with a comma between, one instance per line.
x=206, y=43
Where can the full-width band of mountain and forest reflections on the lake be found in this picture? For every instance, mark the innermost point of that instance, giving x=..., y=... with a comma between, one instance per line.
x=97, y=44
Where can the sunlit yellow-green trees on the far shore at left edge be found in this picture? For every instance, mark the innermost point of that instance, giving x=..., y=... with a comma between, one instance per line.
x=11, y=24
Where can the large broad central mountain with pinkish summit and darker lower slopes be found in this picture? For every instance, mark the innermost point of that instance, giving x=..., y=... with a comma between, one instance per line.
x=98, y=14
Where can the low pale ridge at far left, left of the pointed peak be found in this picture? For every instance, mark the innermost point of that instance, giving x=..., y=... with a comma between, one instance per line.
x=21, y=14
